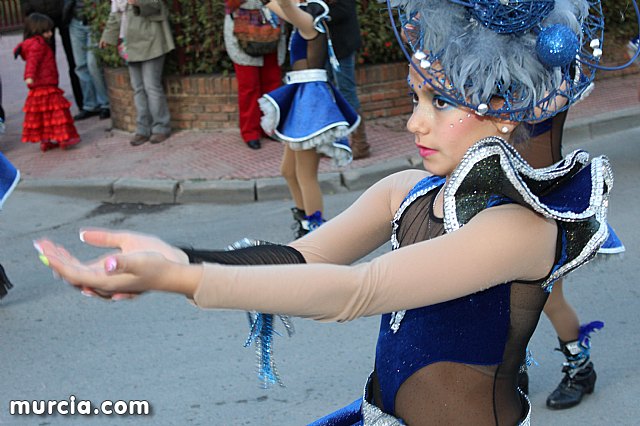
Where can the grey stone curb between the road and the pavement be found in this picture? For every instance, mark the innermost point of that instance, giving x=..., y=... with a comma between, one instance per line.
x=166, y=191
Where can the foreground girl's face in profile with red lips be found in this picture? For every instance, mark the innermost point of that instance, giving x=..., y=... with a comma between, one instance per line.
x=443, y=132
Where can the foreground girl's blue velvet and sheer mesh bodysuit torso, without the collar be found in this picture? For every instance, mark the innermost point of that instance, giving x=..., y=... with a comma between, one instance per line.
x=463, y=345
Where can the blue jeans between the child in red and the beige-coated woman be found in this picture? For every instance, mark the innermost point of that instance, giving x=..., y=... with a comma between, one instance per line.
x=88, y=70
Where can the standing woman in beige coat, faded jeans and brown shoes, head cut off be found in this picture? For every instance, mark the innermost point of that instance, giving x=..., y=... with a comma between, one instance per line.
x=140, y=29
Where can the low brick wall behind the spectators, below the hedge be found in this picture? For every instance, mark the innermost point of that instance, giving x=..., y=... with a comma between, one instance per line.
x=207, y=102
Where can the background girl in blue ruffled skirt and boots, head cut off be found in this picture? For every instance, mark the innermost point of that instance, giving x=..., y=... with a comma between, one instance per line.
x=308, y=114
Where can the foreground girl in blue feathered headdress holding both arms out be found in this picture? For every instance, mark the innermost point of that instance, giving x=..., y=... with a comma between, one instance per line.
x=478, y=238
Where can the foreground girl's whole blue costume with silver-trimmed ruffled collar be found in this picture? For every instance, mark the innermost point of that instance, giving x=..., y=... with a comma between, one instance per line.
x=458, y=361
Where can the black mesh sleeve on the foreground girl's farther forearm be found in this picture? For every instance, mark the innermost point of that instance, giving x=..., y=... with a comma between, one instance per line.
x=268, y=254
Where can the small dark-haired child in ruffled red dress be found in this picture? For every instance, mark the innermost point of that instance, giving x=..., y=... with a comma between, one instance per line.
x=47, y=119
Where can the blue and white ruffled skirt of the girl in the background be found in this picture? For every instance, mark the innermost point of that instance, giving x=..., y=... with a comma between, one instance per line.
x=308, y=112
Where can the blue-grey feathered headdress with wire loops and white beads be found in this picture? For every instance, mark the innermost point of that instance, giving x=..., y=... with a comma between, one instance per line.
x=537, y=56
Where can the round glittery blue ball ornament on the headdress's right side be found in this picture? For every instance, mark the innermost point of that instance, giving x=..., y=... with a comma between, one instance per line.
x=557, y=46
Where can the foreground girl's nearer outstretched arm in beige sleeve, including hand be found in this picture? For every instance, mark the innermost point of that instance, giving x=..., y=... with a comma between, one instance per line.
x=499, y=245
